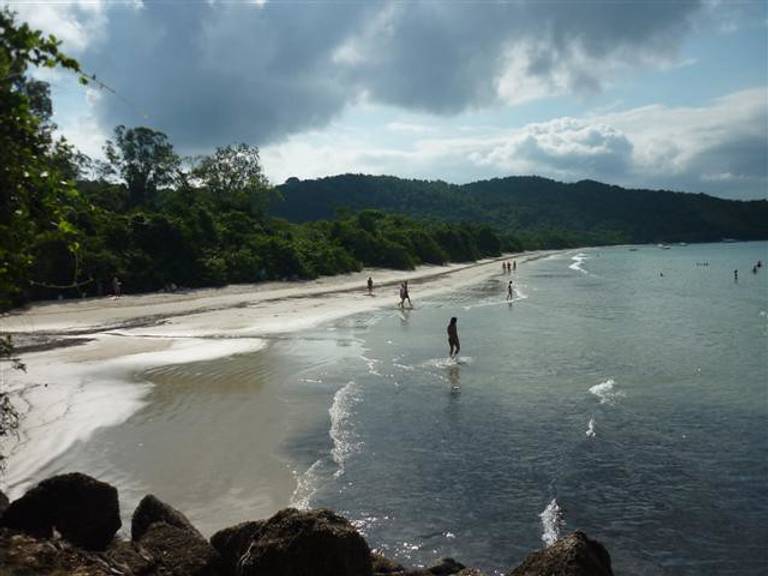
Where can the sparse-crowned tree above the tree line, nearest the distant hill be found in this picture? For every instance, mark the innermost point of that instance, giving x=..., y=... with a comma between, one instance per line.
x=234, y=178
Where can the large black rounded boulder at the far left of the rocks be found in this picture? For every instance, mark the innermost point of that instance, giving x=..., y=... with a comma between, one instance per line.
x=83, y=510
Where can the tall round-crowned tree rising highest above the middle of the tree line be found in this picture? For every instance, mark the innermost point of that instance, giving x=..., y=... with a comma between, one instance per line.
x=145, y=161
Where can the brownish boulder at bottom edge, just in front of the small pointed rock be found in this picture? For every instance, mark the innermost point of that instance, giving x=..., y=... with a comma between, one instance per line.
x=179, y=551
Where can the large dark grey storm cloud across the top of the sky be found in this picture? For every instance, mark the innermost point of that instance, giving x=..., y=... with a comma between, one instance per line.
x=209, y=74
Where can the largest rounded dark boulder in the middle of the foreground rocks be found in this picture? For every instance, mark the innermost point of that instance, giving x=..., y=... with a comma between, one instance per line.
x=314, y=543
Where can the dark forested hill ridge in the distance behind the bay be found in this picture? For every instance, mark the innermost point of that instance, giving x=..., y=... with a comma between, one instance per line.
x=531, y=207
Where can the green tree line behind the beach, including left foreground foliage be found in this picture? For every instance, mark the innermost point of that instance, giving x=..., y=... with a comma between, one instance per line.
x=156, y=220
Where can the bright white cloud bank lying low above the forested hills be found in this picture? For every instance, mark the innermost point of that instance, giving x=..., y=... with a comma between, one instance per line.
x=718, y=147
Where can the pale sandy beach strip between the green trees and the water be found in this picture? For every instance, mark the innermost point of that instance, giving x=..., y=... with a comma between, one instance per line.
x=70, y=391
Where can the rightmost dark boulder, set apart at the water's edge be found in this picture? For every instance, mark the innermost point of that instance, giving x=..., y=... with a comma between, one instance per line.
x=574, y=555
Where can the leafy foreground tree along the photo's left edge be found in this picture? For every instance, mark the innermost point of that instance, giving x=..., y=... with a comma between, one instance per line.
x=36, y=193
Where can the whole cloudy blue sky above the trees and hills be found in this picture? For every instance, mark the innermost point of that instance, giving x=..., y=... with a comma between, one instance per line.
x=640, y=93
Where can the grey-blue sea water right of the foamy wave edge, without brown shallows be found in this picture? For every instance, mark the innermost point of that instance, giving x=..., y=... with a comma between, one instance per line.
x=622, y=393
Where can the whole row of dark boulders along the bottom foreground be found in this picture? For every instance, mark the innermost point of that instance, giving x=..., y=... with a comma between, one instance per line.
x=84, y=513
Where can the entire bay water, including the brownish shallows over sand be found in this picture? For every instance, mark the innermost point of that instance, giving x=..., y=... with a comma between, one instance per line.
x=605, y=398
